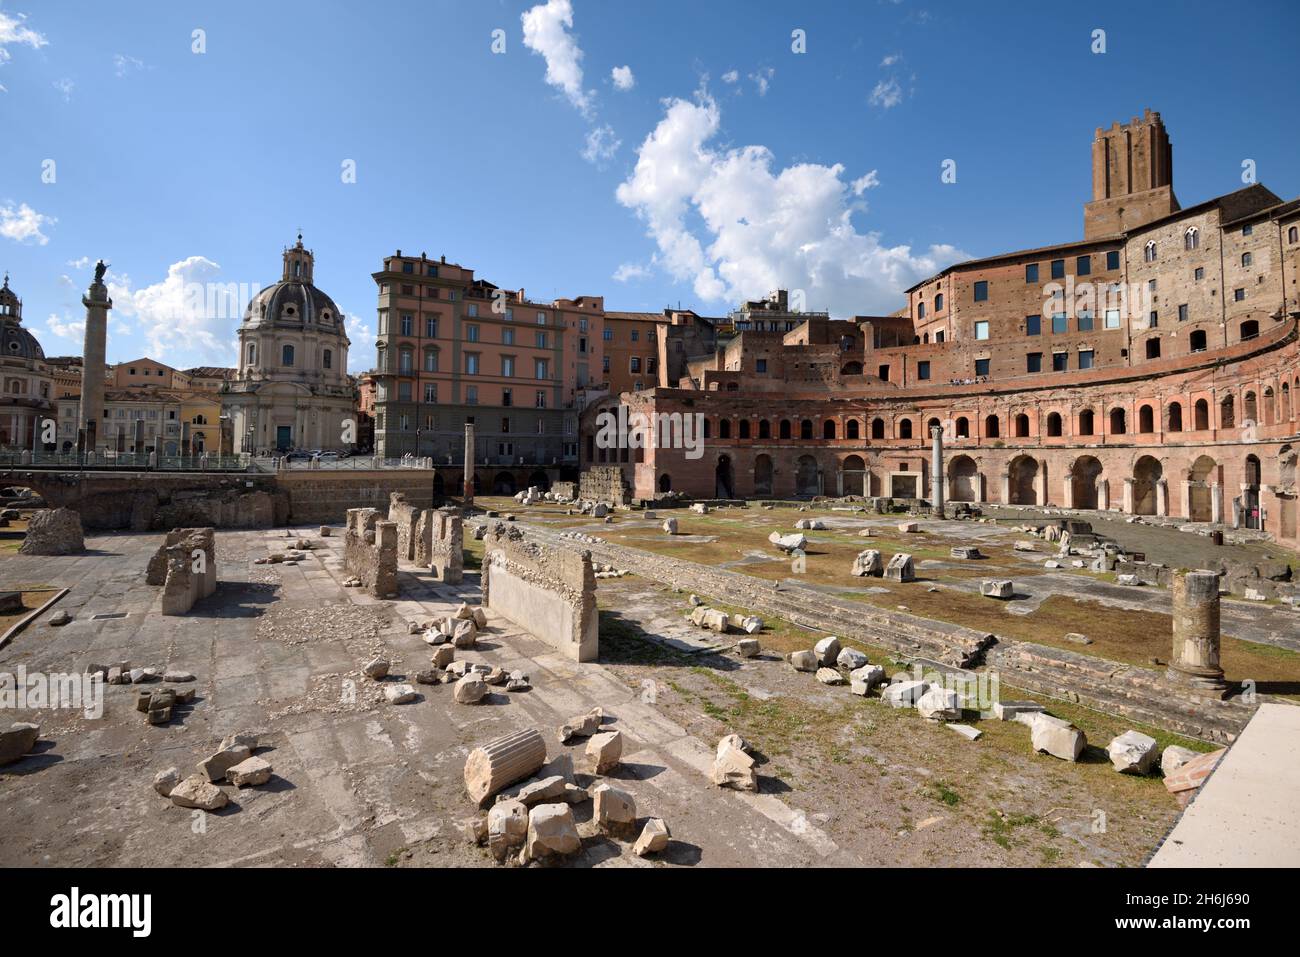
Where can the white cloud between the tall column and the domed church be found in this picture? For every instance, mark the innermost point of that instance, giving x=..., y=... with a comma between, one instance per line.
x=176, y=317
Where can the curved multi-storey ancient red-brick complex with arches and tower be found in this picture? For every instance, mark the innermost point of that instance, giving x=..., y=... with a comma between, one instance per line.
x=1151, y=367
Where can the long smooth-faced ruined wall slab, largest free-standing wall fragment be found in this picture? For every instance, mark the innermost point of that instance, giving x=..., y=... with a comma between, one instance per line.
x=548, y=592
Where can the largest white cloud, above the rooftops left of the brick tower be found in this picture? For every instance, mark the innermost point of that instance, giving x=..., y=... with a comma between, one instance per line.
x=761, y=228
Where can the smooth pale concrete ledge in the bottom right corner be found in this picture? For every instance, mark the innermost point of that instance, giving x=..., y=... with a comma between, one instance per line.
x=1247, y=815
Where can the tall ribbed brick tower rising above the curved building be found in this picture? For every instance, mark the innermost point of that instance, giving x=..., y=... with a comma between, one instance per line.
x=1133, y=177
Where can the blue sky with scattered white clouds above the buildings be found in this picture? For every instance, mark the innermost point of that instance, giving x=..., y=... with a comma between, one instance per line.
x=653, y=153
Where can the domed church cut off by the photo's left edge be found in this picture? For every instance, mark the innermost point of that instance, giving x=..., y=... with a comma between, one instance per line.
x=24, y=379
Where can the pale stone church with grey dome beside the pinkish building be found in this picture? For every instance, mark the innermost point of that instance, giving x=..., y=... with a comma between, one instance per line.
x=292, y=389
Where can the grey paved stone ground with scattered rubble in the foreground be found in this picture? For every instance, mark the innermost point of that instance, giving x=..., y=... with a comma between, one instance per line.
x=361, y=782
